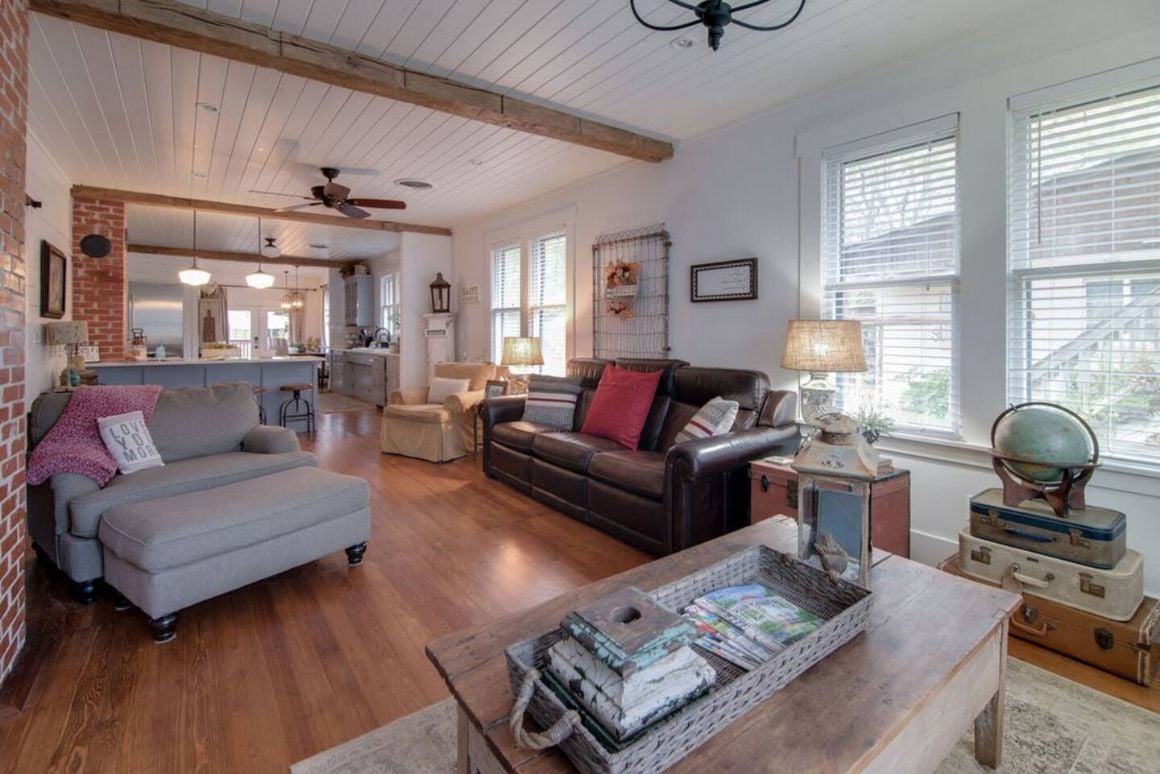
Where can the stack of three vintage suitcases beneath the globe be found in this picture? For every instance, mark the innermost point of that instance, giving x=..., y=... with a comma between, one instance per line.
x=1083, y=589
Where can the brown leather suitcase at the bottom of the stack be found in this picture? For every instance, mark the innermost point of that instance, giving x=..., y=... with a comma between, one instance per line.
x=1129, y=649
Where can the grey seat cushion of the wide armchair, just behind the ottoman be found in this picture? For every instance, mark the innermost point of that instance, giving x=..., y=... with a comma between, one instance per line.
x=178, y=479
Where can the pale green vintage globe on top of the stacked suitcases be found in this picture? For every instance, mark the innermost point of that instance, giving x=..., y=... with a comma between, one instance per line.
x=1042, y=433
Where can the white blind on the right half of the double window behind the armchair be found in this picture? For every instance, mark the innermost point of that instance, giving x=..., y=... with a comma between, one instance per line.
x=548, y=300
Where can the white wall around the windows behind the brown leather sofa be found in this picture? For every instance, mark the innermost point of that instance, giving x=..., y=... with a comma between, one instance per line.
x=744, y=192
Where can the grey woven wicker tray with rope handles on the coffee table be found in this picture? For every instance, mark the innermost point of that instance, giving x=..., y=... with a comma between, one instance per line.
x=845, y=606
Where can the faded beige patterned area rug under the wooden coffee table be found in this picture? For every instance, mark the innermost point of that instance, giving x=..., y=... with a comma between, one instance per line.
x=1053, y=726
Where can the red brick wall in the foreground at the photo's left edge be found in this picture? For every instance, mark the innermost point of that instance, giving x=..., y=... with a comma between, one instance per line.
x=13, y=127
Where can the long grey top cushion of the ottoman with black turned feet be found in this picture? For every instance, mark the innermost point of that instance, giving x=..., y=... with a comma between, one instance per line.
x=178, y=531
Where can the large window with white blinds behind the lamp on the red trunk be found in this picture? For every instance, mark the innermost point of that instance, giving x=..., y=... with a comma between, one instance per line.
x=891, y=261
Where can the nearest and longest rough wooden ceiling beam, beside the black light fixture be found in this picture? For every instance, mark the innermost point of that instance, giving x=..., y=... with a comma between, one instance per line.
x=183, y=26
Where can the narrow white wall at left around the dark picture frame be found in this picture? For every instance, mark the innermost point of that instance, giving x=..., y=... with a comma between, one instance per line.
x=52, y=222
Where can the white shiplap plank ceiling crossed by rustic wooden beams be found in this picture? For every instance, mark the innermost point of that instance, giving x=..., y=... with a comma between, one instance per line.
x=124, y=113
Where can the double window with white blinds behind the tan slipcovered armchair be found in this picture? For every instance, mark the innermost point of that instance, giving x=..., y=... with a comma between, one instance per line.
x=530, y=298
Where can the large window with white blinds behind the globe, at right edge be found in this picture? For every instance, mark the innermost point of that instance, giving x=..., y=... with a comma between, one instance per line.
x=1084, y=263
